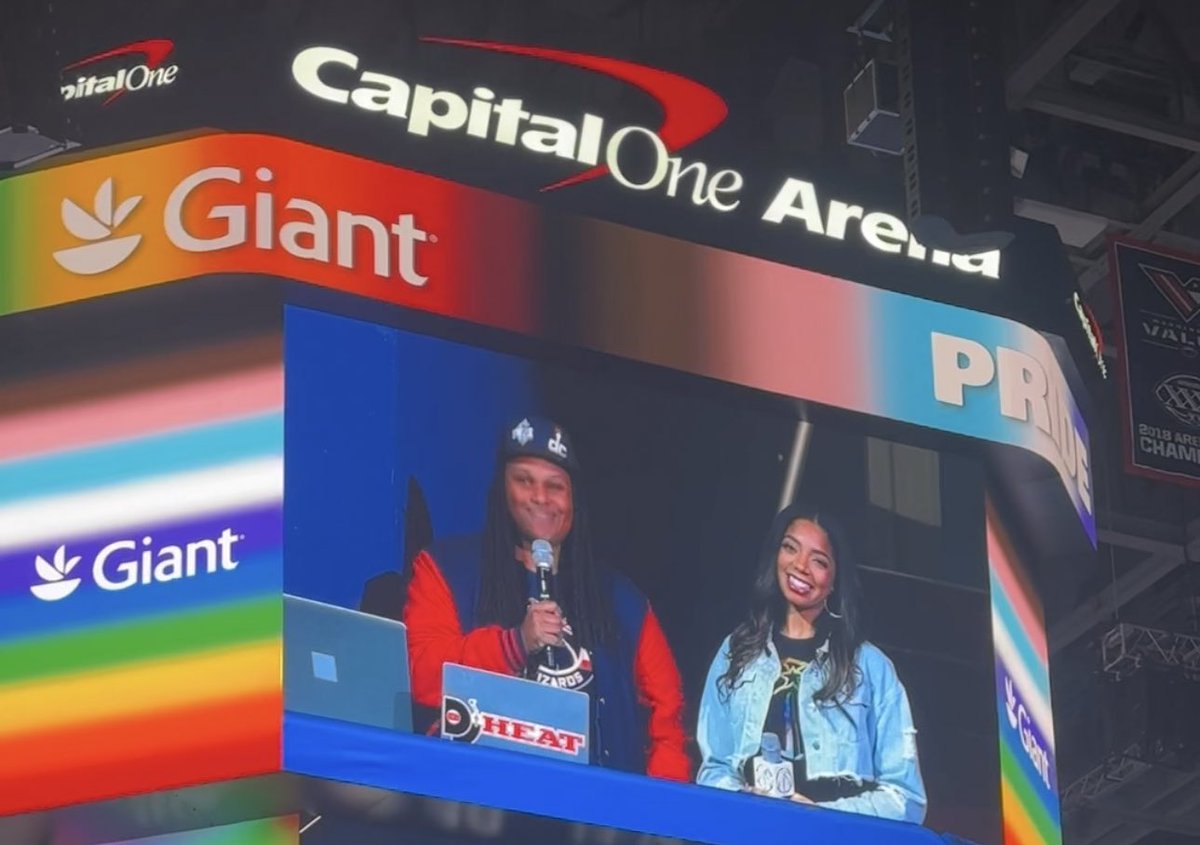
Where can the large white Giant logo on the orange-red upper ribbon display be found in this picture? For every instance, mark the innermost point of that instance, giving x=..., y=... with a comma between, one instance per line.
x=311, y=233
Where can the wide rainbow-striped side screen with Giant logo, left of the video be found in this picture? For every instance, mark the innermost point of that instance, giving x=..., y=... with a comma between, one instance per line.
x=141, y=571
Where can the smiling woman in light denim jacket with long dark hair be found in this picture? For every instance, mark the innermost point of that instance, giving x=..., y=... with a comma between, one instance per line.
x=797, y=686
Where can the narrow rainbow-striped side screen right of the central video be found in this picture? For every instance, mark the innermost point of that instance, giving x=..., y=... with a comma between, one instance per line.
x=1029, y=782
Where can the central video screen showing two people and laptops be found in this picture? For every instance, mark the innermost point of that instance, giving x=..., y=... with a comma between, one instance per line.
x=605, y=564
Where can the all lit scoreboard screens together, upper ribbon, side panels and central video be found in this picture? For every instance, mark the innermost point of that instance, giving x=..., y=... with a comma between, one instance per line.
x=579, y=500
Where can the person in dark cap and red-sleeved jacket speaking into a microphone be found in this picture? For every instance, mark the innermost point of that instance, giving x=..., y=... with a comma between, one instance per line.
x=475, y=602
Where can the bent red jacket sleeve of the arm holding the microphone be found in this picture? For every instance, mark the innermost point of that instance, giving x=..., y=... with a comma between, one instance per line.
x=436, y=637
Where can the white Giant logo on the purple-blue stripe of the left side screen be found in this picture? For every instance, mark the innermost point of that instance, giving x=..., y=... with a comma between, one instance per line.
x=124, y=565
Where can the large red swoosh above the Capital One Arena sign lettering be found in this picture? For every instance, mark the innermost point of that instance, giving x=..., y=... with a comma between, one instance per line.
x=691, y=111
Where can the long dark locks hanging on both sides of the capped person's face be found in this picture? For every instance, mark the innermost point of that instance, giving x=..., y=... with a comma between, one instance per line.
x=580, y=584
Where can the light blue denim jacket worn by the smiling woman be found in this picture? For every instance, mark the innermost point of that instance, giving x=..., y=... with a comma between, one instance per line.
x=869, y=739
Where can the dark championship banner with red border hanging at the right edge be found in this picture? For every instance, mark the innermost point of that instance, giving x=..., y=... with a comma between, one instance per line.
x=1159, y=295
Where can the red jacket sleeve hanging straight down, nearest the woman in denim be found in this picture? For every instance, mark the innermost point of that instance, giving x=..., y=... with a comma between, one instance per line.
x=662, y=691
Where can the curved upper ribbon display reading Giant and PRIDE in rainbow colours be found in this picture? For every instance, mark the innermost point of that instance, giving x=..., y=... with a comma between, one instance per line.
x=257, y=205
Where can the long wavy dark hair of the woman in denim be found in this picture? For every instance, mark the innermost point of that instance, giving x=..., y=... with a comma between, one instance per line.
x=769, y=609
